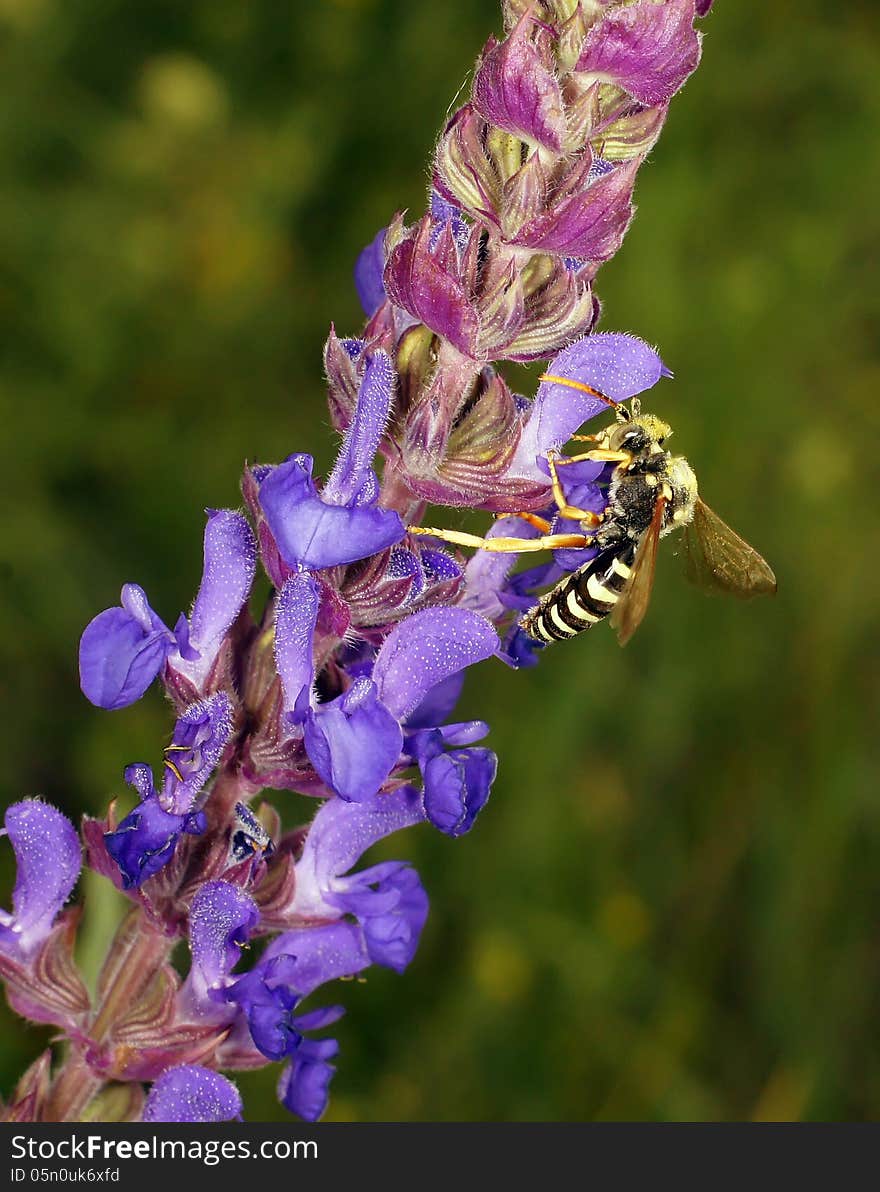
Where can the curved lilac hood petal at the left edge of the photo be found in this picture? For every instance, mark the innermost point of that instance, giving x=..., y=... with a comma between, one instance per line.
x=48, y=860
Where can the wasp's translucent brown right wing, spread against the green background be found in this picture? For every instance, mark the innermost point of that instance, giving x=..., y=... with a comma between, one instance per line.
x=720, y=561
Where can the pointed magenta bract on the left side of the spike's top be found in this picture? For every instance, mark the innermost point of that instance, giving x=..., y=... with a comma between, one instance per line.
x=516, y=91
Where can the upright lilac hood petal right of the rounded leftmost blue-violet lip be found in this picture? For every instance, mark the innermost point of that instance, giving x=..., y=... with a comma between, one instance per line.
x=231, y=562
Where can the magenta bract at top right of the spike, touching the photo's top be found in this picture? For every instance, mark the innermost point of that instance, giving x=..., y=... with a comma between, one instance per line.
x=649, y=49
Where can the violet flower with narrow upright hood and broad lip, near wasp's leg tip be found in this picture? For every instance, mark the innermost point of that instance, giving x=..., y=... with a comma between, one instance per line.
x=344, y=524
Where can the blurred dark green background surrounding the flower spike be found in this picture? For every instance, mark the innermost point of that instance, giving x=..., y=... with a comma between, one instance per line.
x=671, y=909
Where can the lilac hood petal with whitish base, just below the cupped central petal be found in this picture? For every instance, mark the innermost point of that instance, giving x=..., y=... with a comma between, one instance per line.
x=342, y=834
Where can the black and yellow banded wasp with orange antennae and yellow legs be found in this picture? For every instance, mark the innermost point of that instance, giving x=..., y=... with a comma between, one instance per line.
x=652, y=494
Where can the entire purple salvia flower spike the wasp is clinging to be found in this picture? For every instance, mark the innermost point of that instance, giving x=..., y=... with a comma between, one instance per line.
x=344, y=686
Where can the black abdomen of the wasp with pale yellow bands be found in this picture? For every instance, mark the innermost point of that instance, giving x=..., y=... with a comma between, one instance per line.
x=584, y=599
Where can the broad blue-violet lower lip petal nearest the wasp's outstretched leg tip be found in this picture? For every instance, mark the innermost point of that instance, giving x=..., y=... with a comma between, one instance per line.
x=313, y=535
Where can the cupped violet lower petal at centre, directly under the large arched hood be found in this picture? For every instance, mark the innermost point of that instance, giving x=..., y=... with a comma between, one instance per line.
x=354, y=742
